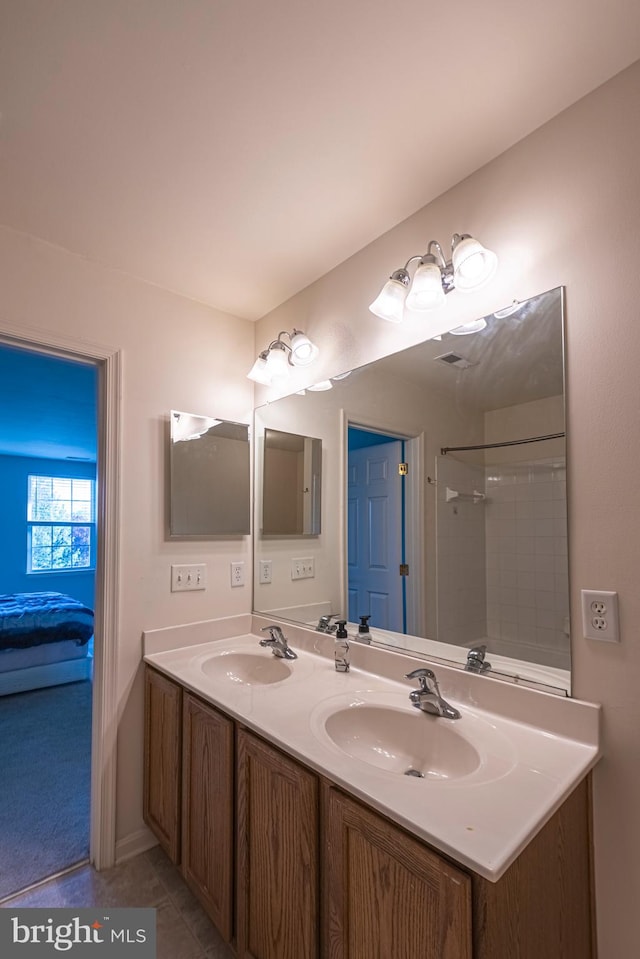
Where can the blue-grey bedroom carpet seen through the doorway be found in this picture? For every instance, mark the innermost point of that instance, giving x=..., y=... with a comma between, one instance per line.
x=45, y=756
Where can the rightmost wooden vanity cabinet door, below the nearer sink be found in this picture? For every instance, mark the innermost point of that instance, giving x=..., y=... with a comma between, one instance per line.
x=386, y=895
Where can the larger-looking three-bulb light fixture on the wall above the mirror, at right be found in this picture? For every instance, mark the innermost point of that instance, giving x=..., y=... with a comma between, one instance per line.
x=470, y=266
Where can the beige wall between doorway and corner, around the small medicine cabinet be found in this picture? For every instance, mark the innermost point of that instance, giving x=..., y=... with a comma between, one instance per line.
x=176, y=354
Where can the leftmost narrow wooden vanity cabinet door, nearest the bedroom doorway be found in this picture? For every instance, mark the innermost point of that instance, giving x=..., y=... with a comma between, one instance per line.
x=162, y=760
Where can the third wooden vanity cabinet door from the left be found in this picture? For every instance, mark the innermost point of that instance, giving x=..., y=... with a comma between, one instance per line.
x=277, y=863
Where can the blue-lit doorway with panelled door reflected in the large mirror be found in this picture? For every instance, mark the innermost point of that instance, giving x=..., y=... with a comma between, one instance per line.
x=375, y=537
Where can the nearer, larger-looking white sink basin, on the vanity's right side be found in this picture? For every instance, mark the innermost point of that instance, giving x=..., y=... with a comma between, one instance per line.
x=385, y=731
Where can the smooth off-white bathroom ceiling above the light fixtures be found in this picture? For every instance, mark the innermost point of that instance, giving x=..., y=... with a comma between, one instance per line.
x=236, y=150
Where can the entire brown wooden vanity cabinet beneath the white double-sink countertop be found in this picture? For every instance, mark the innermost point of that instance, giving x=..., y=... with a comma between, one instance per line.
x=319, y=875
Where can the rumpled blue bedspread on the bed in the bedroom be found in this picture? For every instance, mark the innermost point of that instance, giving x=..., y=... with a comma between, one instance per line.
x=30, y=619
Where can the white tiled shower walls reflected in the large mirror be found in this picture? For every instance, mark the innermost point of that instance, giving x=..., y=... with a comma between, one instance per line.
x=502, y=562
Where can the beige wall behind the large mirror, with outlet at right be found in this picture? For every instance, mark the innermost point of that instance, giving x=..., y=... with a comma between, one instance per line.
x=562, y=207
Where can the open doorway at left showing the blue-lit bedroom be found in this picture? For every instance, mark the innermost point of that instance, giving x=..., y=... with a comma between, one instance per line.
x=48, y=461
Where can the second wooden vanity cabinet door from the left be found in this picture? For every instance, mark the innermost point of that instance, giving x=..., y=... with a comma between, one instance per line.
x=207, y=809
